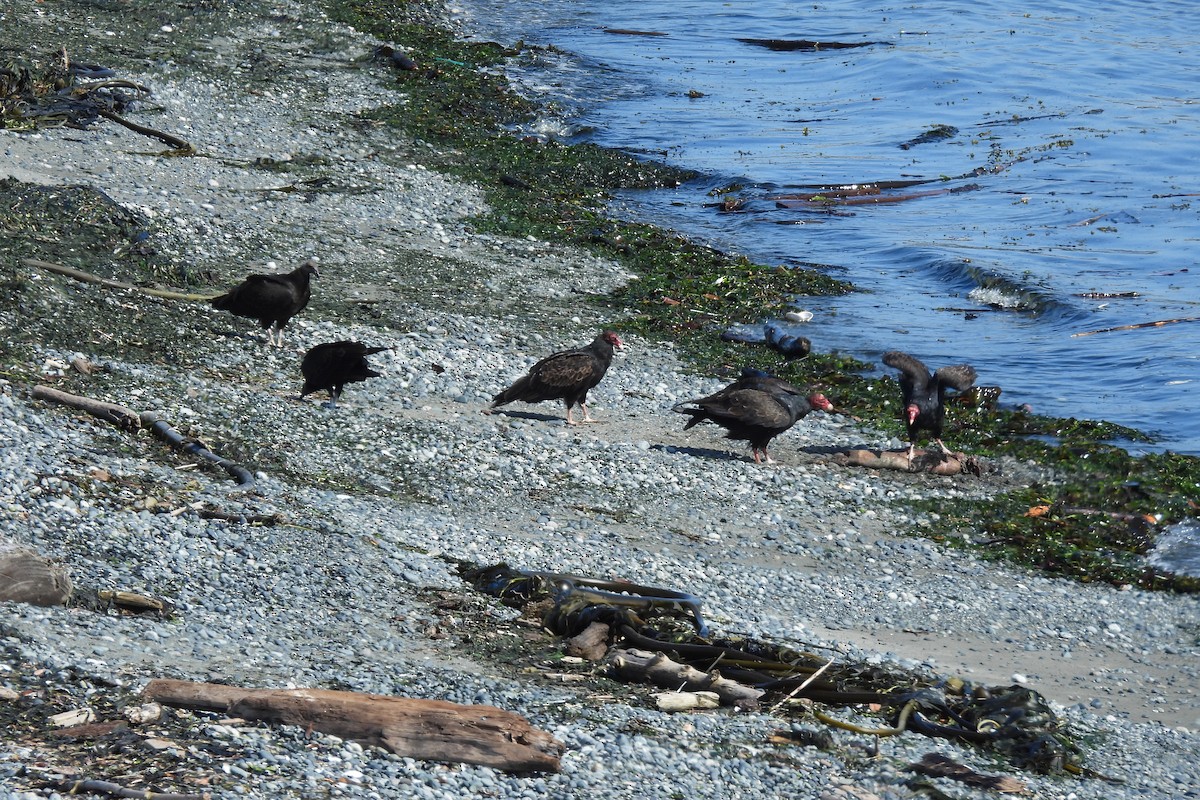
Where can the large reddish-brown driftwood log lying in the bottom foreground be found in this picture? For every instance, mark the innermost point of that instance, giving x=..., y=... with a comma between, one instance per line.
x=416, y=729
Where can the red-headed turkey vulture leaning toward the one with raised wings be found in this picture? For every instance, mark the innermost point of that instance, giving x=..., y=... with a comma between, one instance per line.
x=755, y=408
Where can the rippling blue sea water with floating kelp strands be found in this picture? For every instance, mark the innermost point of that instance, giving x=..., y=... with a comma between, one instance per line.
x=1083, y=121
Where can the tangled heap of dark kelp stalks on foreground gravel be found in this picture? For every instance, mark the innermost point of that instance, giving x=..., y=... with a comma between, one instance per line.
x=1012, y=721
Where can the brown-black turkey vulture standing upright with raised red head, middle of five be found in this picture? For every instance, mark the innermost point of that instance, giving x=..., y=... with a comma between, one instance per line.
x=566, y=376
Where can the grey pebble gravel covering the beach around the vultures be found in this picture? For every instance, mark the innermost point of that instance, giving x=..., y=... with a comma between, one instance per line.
x=380, y=498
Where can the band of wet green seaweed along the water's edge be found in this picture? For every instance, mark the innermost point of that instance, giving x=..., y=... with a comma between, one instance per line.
x=459, y=104
